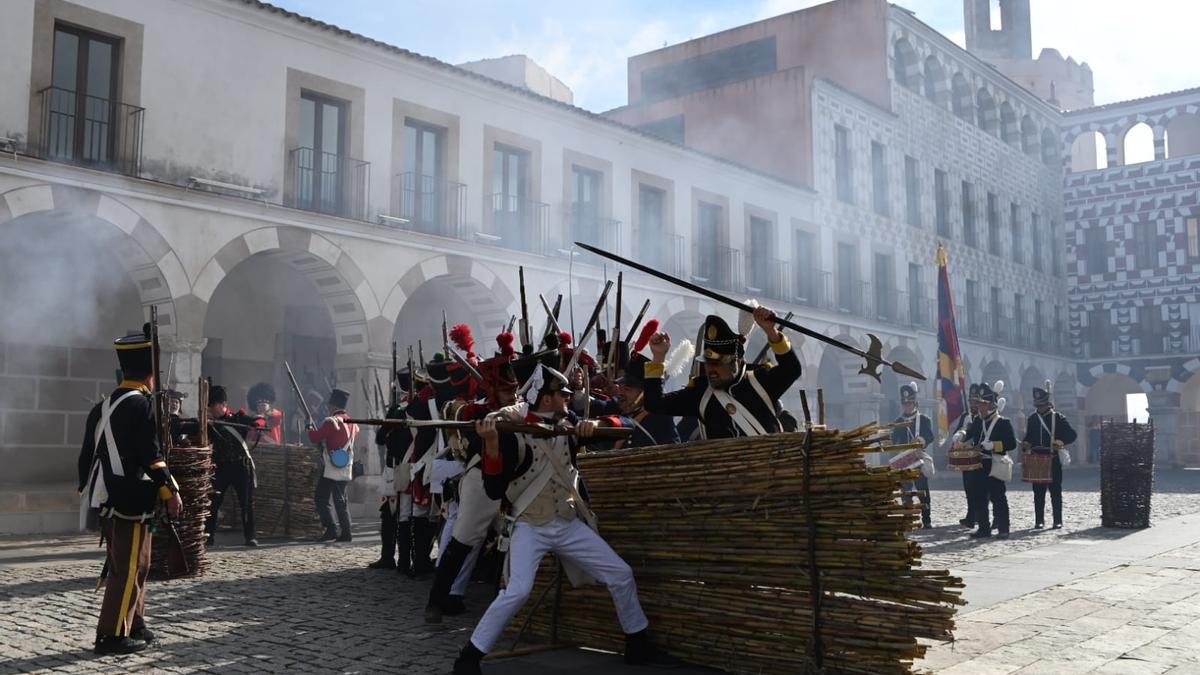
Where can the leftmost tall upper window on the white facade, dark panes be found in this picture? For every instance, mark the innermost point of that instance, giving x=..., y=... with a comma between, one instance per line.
x=82, y=112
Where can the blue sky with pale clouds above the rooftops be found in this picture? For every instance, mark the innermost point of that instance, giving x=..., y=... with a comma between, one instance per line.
x=586, y=44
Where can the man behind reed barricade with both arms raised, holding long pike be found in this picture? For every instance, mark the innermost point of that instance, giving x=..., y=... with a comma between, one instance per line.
x=733, y=401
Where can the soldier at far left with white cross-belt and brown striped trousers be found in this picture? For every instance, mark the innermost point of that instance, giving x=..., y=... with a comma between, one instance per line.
x=123, y=473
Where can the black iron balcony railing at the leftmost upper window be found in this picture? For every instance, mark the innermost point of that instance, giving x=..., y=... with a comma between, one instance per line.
x=91, y=132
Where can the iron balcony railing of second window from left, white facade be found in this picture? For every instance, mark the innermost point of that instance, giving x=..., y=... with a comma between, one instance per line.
x=329, y=184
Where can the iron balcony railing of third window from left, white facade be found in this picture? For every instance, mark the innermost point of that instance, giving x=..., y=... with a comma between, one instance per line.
x=430, y=205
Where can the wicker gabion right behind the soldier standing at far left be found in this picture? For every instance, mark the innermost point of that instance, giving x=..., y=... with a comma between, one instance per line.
x=193, y=469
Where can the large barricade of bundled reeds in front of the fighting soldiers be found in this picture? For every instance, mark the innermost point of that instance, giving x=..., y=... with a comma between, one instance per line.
x=770, y=555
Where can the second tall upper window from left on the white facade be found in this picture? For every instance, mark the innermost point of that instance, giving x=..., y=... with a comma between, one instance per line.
x=321, y=159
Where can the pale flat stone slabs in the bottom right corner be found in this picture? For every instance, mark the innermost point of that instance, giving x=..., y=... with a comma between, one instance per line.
x=1131, y=620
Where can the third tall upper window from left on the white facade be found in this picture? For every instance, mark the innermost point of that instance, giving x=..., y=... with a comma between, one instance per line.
x=423, y=184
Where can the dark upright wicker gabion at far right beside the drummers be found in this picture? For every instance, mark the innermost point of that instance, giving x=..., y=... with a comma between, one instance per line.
x=1127, y=474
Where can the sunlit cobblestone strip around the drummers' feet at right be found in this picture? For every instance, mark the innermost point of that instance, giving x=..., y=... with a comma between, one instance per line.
x=949, y=546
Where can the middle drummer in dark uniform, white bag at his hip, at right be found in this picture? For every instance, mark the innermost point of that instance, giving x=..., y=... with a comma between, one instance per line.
x=995, y=438
